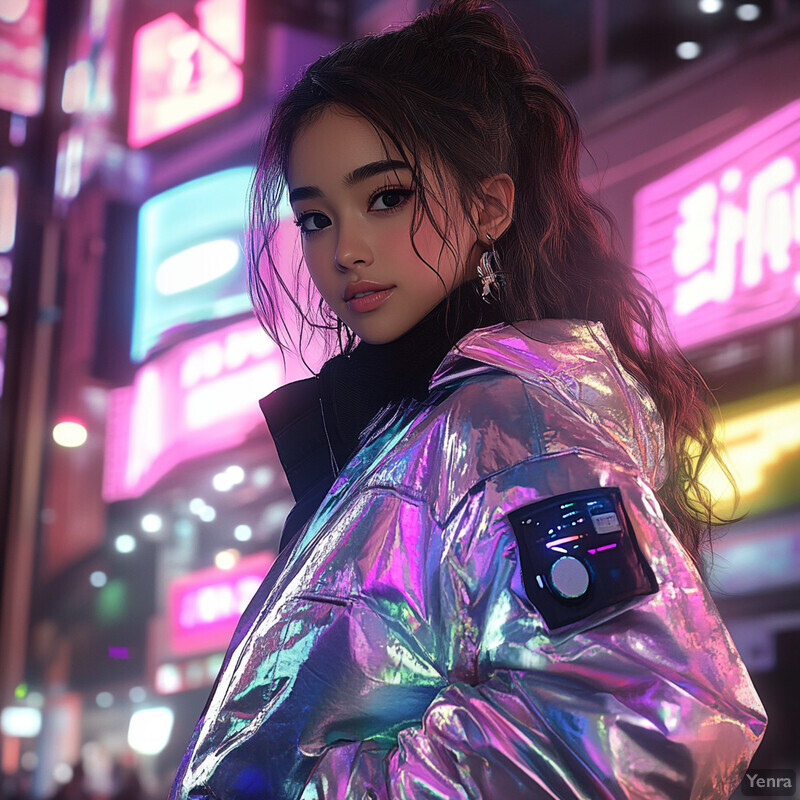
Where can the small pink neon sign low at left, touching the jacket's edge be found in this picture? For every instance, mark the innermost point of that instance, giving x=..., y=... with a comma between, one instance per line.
x=205, y=606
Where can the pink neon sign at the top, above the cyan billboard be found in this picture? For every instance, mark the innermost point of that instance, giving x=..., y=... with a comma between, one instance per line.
x=180, y=74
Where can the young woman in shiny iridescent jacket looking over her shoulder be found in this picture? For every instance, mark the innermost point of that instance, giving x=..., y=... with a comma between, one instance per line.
x=490, y=586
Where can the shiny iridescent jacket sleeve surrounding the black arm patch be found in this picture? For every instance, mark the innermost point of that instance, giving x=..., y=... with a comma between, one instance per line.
x=645, y=698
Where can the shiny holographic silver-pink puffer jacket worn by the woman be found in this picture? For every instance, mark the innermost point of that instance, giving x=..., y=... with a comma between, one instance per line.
x=488, y=604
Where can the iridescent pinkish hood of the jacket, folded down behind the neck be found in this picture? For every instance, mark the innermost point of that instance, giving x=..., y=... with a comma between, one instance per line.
x=580, y=368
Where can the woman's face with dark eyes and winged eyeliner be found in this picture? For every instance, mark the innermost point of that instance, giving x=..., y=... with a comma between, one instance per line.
x=354, y=203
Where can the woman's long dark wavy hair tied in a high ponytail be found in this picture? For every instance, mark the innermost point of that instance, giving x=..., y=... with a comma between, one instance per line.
x=460, y=90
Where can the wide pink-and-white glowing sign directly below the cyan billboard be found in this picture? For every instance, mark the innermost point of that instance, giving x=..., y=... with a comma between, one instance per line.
x=198, y=398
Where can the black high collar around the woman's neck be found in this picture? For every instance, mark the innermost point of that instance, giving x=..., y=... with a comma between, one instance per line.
x=316, y=422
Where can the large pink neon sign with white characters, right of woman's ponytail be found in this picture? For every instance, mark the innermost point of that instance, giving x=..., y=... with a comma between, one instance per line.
x=720, y=237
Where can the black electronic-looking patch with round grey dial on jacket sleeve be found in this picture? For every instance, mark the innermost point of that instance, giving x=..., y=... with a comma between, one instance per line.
x=578, y=555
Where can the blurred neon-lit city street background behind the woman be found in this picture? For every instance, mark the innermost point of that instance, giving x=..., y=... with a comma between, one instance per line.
x=141, y=499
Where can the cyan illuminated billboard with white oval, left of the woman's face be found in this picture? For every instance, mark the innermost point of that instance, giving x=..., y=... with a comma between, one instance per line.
x=189, y=259
